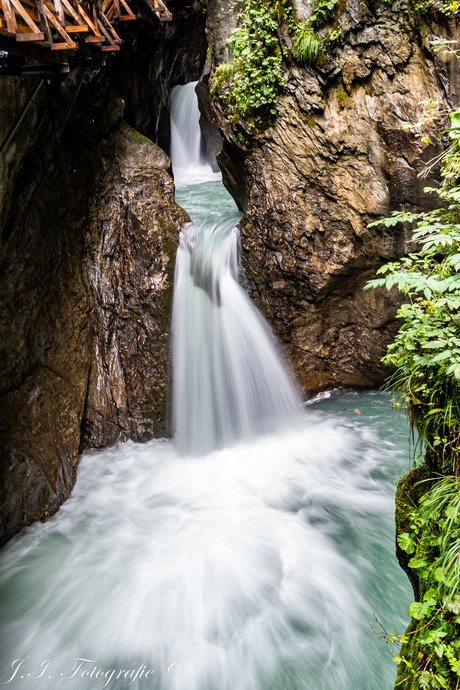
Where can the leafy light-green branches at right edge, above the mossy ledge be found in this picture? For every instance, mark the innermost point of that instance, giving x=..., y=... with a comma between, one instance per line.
x=426, y=350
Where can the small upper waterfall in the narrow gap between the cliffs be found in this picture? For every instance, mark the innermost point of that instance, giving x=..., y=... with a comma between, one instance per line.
x=189, y=167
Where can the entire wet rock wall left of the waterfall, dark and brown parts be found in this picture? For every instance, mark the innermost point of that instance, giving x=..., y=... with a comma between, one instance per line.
x=89, y=229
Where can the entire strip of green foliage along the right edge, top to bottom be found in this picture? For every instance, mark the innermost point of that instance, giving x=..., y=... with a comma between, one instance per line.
x=426, y=352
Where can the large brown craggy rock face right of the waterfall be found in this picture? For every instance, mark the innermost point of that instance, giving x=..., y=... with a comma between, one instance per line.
x=334, y=160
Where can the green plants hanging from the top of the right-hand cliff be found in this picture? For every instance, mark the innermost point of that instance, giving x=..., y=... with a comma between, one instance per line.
x=257, y=58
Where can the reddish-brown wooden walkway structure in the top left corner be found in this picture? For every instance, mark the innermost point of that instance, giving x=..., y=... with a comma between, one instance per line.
x=72, y=24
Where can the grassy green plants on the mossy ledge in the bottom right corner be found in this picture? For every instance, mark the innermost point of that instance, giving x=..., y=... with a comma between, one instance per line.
x=434, y=543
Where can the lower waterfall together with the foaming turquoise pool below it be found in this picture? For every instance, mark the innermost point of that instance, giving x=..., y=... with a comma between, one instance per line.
x=257, y=566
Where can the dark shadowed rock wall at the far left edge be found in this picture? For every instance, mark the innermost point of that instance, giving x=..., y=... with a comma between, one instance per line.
x=45, y=330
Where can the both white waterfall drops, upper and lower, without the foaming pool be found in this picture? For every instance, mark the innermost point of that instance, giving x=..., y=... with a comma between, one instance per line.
x=229, y=382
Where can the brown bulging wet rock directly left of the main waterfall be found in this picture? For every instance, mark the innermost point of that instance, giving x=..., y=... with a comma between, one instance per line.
x=131, y=245
